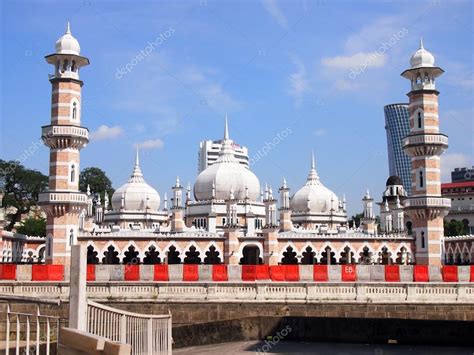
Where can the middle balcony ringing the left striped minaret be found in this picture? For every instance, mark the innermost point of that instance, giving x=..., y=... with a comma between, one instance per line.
x=65, y=136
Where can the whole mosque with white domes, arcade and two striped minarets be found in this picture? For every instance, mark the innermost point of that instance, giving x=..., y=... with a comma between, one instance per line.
x=228, y=217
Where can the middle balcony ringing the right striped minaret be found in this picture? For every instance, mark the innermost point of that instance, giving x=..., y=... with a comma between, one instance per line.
x=425, y=144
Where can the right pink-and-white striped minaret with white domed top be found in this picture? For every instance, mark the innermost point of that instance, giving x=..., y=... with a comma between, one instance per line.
x=424, y=145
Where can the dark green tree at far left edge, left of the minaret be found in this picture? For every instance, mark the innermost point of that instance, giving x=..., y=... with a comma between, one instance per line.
x=21, y=188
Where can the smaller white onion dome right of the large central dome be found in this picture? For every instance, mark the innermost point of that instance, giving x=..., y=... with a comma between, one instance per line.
x=314, y=197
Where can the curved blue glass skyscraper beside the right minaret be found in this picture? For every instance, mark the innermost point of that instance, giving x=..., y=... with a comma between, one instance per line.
x=397, y=126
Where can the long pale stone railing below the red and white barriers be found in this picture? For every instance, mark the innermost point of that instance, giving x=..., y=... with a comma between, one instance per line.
x=255, y=292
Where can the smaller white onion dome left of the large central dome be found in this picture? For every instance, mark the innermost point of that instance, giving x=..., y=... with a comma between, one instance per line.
x=136, y=194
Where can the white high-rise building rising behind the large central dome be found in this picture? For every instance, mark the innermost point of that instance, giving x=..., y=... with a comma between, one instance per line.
x=209, y=152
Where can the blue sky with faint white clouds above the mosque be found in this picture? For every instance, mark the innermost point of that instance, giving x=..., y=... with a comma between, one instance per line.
x=272, y=66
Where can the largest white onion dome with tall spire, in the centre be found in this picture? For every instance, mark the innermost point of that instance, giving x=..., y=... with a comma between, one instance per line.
x=226, y=174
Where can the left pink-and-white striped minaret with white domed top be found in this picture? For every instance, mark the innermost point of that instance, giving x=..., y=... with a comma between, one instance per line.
x=65, y=137
